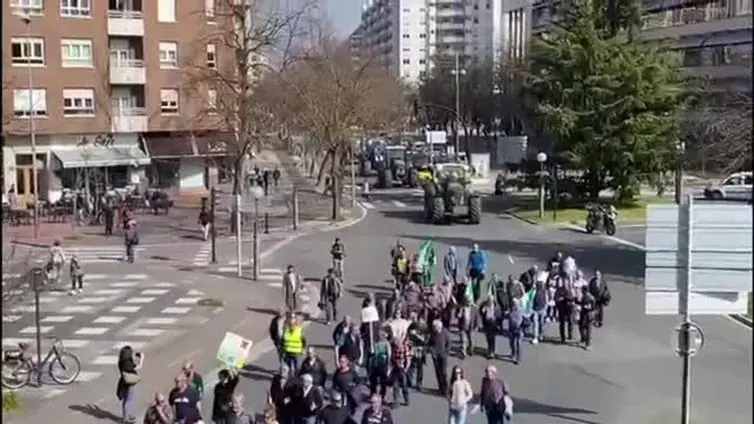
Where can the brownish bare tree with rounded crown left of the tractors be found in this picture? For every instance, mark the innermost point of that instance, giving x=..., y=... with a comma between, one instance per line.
x=335, y=98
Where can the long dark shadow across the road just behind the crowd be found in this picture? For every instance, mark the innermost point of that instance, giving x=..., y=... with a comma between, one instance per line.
x=622, y=262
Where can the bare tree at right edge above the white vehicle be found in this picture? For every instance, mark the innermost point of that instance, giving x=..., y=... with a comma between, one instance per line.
x=723, y=131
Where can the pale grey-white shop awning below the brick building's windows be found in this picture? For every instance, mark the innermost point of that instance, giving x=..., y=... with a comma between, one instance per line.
x=88, y=156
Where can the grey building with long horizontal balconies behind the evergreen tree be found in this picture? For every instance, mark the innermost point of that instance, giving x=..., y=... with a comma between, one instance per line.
x=713, y=36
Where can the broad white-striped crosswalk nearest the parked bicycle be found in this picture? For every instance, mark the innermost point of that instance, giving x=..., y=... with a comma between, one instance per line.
x=111, y=312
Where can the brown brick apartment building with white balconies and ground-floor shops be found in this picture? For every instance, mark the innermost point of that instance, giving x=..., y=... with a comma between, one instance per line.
x=99, y=86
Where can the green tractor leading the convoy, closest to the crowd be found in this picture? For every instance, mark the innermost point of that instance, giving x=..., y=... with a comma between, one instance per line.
x=449, y=190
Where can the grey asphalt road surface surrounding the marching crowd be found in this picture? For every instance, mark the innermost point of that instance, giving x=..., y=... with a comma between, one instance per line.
x=630, y=376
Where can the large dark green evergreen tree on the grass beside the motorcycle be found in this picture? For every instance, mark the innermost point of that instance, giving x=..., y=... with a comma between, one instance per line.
x=611, y=103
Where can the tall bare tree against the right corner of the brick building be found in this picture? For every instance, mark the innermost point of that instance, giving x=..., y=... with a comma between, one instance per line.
x=250, y=41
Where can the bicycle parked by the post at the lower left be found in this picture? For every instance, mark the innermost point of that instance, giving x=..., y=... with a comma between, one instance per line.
x=19, y=365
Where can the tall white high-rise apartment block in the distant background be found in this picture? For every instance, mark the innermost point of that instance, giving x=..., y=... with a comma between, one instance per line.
x=406, y=36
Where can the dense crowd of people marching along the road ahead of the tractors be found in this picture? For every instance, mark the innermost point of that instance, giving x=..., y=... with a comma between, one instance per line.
x=380, y=360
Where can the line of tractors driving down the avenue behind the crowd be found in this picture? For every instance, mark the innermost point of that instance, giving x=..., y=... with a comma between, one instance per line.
x=448, y=193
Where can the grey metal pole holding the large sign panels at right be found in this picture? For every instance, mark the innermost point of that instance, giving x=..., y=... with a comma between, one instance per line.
x=686, y=350
